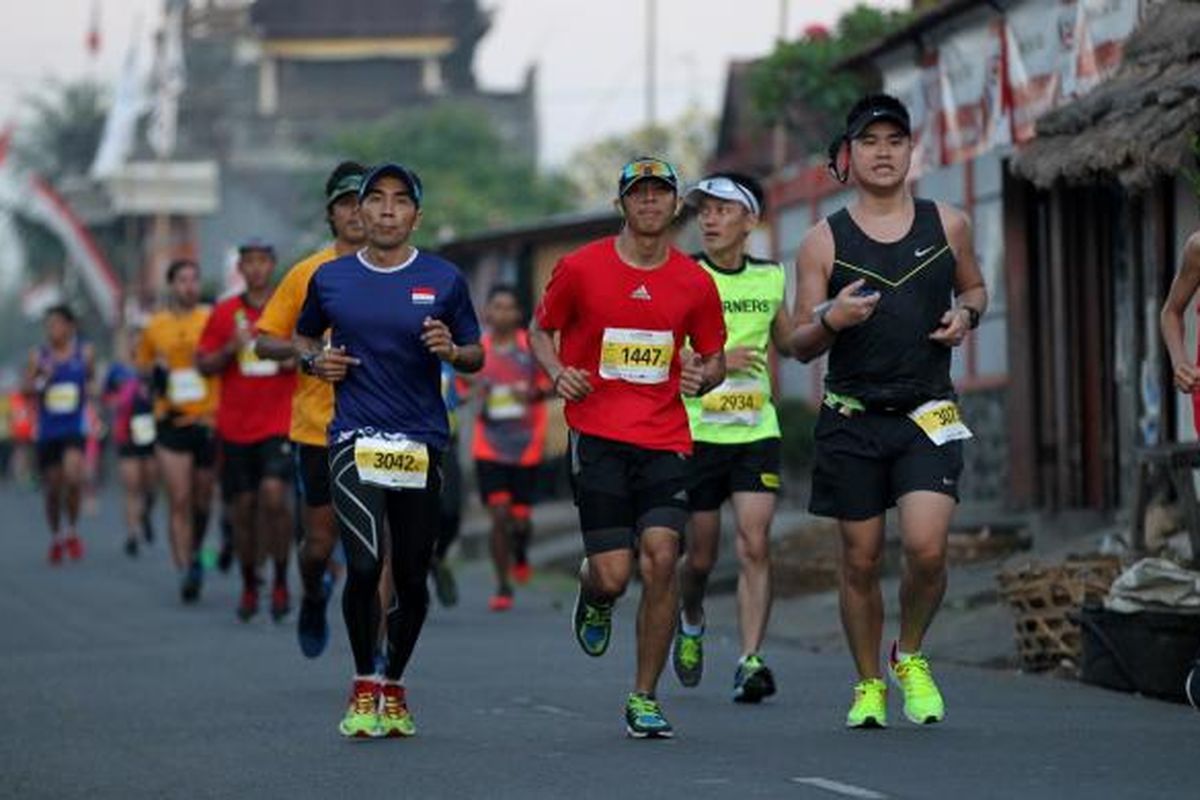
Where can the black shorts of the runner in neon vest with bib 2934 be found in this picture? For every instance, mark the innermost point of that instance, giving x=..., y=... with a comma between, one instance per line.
x=719, y=471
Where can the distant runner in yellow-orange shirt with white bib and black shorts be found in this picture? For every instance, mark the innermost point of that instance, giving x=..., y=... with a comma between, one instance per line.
x=185, y=406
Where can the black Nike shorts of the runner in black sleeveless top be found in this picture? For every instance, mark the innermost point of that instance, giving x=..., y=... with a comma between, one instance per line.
x=865, y=464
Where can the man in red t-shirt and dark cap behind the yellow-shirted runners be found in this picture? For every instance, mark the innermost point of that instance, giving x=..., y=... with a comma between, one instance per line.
x=254, y=418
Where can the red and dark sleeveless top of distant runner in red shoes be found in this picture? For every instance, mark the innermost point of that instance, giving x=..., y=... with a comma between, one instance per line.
x=509, y=429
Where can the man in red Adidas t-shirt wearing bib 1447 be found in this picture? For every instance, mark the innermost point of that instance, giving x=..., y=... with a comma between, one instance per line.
x=625, y=308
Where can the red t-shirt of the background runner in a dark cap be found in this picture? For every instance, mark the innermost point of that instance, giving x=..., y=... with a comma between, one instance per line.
x=256, y=395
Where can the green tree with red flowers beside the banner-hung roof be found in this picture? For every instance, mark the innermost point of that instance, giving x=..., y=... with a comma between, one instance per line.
x=800, y=86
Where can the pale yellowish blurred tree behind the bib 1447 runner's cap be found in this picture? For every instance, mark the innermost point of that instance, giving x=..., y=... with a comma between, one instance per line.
x=686, y=142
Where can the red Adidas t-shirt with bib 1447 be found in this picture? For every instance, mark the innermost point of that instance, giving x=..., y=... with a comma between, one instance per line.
x=626, y=327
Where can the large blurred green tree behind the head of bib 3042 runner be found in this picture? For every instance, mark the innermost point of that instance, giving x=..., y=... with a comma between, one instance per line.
x=473, y=181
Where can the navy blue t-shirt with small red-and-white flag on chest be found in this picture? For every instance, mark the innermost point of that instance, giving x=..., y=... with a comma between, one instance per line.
x=379, y=315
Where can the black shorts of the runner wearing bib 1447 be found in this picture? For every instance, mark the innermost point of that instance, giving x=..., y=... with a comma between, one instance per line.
x=622, y=490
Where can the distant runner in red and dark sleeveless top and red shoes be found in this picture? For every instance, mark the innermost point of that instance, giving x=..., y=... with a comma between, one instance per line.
x=511, y=435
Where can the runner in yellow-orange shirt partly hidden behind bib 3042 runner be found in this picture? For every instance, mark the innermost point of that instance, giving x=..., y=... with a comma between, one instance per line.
x=313, y=406
